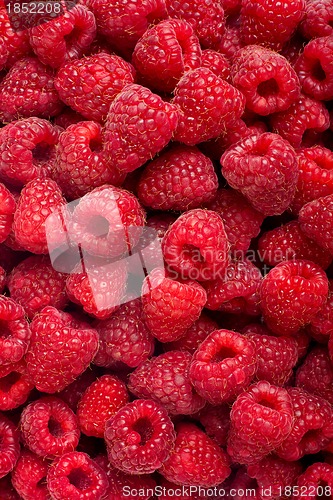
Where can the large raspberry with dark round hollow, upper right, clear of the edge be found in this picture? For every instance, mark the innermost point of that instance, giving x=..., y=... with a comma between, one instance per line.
x=266, y=79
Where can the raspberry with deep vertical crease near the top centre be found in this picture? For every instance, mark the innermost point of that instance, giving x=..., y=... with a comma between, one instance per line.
x=165, y=52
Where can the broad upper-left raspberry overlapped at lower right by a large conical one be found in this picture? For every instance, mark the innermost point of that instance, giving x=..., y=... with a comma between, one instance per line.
x=90, y=84
